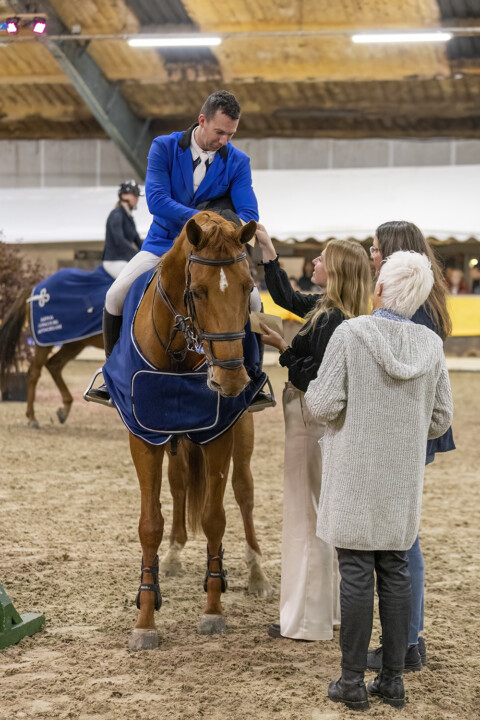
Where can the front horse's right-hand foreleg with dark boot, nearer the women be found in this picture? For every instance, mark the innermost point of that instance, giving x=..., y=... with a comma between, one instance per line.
x=217, y=455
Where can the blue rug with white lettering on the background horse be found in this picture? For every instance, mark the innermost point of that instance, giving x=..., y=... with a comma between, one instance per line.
x=68, y=305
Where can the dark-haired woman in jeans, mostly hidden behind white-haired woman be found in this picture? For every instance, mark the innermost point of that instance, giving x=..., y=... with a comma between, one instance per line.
x=390, y=237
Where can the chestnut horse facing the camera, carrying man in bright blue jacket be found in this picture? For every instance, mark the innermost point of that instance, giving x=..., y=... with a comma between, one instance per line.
x=207, y=269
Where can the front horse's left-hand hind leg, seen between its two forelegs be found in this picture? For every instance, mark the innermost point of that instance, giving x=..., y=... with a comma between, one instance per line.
x=178, y=478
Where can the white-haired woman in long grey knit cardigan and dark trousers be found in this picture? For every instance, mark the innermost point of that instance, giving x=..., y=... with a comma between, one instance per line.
x=383, y=390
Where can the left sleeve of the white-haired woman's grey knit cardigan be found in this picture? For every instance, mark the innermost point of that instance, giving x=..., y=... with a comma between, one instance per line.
x=326, y=396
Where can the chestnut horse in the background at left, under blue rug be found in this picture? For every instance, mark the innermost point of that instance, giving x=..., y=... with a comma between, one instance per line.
x=10, y=333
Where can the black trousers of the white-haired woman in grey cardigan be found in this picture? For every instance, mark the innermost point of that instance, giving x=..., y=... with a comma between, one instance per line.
x=356, y=601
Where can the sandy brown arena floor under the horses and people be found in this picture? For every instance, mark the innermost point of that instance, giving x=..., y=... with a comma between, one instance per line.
x=69, y=548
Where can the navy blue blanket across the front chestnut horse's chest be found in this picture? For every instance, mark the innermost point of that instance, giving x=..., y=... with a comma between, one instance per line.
x=156, y=405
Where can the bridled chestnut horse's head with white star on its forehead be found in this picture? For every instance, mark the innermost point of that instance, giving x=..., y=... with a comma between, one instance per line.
x=218, y=286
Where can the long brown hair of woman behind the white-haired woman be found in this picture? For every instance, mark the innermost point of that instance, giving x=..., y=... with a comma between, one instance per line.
x=403, y=235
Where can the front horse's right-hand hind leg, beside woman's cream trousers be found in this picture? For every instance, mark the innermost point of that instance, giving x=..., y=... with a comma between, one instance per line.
x=242, y=482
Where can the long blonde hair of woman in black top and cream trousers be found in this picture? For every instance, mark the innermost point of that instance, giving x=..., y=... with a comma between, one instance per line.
x=349, y=282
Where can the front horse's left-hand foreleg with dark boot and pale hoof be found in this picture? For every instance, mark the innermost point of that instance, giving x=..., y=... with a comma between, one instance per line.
x=148, y=464
